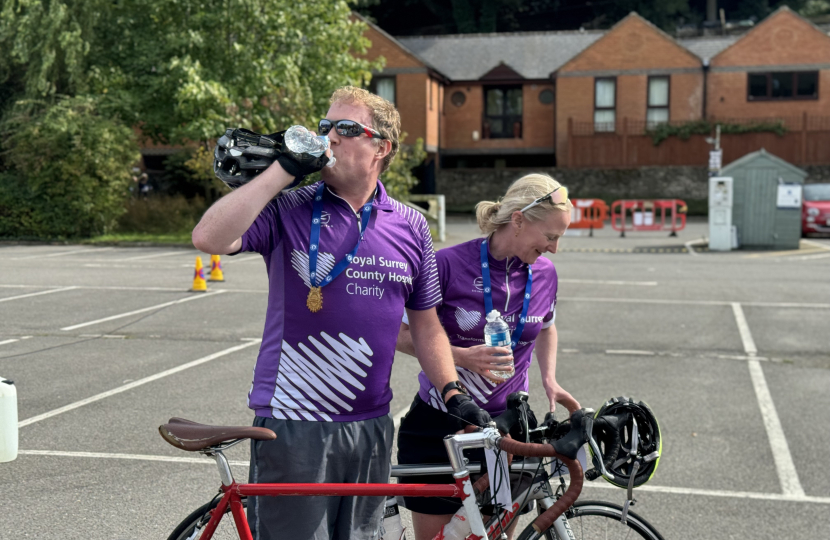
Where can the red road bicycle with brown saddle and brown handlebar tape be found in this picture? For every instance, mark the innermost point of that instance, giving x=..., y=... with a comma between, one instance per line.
x=559, y=515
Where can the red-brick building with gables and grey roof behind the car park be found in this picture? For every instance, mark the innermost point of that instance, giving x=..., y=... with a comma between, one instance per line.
x=505, y=100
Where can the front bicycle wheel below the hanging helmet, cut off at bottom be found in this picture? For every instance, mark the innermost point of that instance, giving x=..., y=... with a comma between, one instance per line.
x=594, y=520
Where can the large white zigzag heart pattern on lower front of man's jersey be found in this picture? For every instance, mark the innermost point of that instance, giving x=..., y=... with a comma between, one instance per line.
x=314, y=383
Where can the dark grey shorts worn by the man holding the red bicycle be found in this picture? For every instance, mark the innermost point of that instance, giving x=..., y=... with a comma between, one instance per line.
x=315, y=452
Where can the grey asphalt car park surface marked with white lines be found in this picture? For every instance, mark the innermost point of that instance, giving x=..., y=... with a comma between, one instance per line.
x=731, y=350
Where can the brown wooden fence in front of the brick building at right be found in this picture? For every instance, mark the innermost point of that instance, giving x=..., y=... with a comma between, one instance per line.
x=805, y=142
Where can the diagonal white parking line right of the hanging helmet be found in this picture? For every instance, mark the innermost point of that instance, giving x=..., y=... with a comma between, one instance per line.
x=784, y=465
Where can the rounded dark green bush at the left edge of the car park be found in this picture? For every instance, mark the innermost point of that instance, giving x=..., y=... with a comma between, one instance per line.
x=66, y=170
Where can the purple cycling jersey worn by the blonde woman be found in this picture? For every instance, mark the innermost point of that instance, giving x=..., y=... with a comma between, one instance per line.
x=462, y=314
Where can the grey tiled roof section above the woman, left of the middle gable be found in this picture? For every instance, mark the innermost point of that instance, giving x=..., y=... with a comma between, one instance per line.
x=534, y=55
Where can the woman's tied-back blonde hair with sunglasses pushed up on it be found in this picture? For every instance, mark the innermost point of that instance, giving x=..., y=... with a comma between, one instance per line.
x=492, y=215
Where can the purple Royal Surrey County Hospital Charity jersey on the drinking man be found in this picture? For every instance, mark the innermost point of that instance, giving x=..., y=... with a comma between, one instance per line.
x=334, y=365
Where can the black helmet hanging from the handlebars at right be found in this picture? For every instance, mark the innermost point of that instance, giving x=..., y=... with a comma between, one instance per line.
x=629, y=441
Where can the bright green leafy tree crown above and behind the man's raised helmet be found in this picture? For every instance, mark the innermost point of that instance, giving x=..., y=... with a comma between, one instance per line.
x=188, y=69
